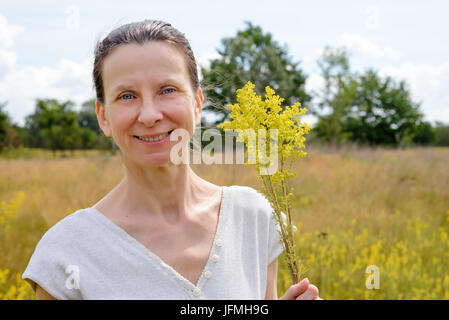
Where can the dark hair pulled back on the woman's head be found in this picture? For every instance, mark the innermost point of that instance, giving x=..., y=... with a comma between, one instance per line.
x=140, y=33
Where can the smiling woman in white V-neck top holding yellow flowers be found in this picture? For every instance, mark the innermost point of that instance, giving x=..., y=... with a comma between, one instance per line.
x=163, y=232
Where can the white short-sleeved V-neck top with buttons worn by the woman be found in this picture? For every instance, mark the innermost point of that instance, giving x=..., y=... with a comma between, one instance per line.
x=87, y=256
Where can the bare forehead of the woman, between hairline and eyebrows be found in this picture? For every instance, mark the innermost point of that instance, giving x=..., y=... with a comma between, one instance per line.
x=151, y=62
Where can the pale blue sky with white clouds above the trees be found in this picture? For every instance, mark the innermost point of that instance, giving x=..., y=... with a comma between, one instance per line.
x=46, y=47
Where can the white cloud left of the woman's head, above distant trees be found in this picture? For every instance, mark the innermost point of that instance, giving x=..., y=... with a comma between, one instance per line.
x=20, y=87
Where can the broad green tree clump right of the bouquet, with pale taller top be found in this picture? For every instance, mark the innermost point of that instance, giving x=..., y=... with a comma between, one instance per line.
x=364, y=108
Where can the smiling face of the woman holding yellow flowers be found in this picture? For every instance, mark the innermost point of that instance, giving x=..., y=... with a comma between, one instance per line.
x=147, y=92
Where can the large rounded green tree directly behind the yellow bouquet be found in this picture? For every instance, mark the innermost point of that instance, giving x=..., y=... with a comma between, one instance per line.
x=255, y=56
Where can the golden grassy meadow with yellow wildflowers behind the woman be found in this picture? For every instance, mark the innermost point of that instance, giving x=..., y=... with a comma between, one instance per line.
x=354, y=207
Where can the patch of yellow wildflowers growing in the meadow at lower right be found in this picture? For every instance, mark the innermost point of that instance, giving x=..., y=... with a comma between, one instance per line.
x=409, y=269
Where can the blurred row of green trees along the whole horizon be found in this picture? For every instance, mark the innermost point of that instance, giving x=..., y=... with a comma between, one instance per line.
x=357, y=107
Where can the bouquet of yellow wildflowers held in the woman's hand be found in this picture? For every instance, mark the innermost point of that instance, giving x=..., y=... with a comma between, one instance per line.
x=282, y=132
